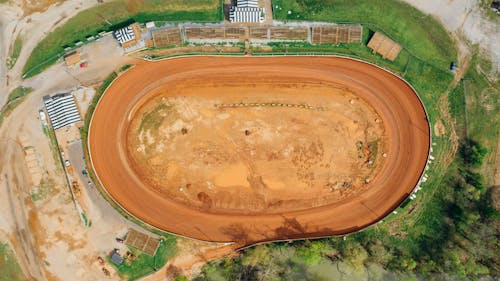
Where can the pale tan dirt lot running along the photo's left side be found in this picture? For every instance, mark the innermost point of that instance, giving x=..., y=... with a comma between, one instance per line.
x=46, y=233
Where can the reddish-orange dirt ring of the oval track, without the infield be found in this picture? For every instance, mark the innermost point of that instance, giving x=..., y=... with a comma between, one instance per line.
x=402, y=113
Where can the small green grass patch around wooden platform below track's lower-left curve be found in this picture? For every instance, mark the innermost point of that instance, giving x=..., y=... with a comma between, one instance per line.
x=145, y=264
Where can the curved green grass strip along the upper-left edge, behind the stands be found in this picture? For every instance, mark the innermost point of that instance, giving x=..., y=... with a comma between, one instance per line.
x=112, y=15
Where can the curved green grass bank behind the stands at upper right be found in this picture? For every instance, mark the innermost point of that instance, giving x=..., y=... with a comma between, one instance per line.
x=420, y=34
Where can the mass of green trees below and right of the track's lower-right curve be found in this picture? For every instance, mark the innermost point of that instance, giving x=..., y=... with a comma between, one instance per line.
x=458, y=239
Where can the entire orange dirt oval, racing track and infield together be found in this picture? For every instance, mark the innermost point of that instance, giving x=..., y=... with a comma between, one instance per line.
x=258, y=149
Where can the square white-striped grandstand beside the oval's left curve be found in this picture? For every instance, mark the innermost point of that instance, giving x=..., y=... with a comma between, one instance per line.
x=62, y=110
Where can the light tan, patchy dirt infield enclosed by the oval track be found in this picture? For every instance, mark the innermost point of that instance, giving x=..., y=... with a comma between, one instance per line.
x=262, y=146
